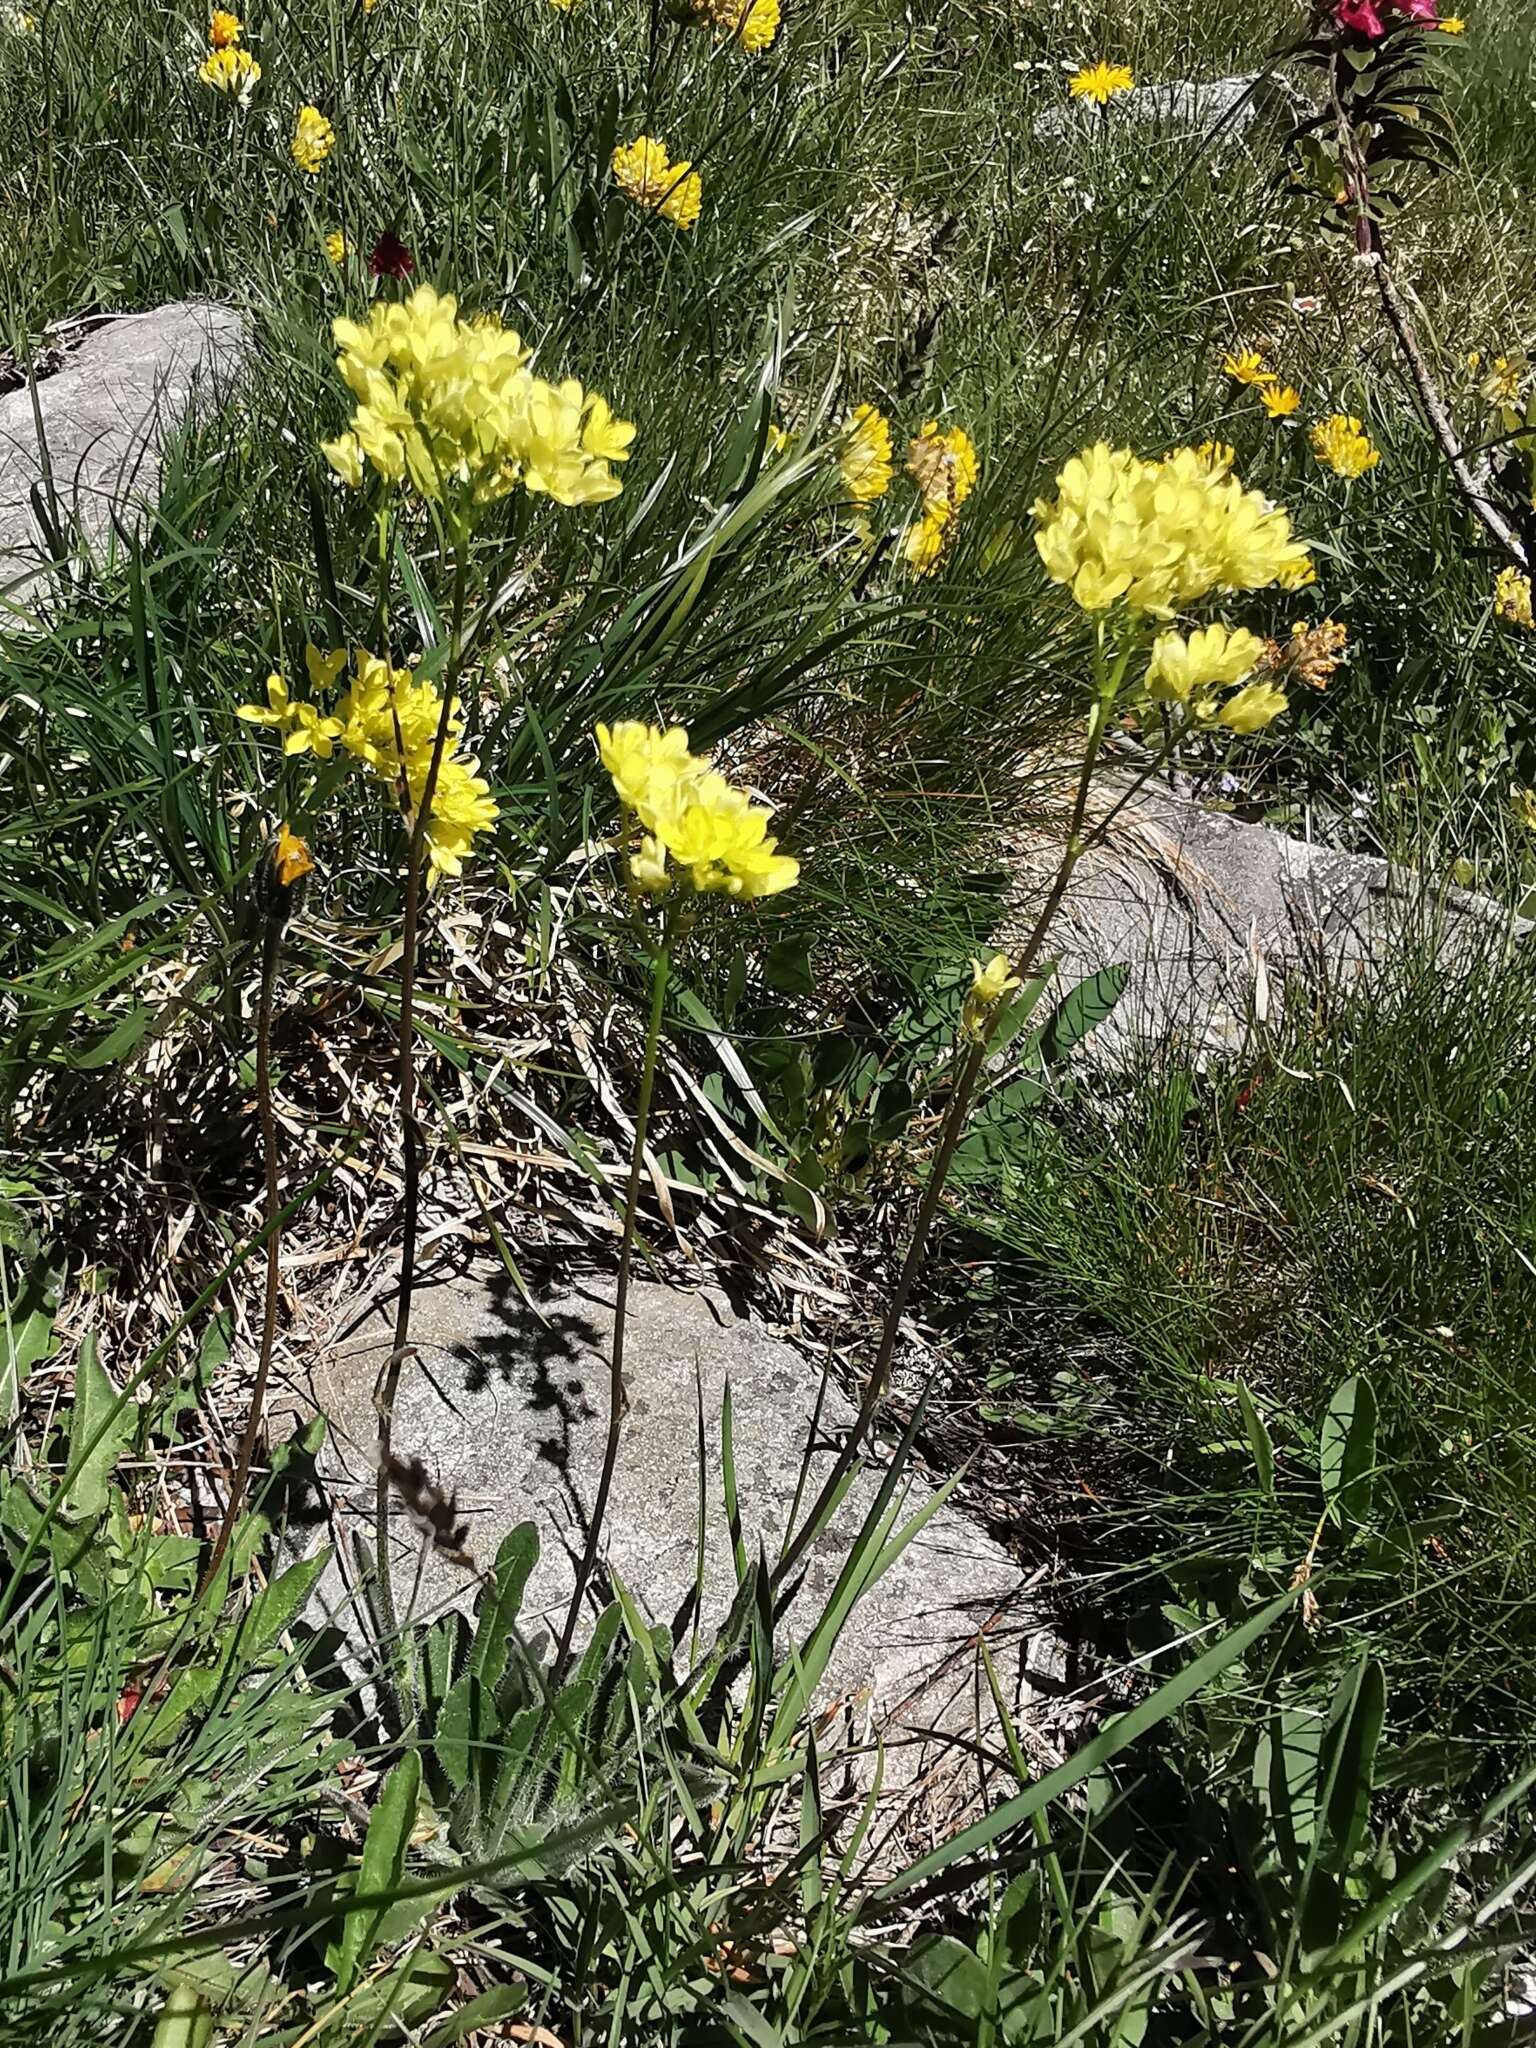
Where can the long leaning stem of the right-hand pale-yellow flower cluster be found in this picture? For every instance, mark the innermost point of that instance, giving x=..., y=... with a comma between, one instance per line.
x=955, y=1119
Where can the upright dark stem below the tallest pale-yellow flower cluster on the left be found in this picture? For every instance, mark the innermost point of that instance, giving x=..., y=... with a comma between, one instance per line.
x=413, y=1140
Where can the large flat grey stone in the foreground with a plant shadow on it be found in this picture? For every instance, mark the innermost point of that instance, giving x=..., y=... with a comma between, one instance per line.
x=509, y=1408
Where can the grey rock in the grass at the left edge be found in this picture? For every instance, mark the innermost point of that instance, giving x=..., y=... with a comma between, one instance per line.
x=105, y=419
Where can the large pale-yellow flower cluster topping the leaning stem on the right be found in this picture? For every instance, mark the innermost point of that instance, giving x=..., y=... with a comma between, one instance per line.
x=1162, y=534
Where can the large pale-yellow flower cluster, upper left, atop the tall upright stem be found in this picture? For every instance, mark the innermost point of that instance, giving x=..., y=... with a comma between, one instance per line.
x=454, y=407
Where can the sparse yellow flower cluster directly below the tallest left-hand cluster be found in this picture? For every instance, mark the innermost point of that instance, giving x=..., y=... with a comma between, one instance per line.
x=388, y=720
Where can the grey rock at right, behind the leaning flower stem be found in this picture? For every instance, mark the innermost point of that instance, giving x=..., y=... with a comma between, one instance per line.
x=1218, y=921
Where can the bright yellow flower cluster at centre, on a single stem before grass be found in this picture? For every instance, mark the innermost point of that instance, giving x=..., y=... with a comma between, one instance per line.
x=691, y=816
